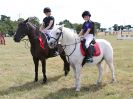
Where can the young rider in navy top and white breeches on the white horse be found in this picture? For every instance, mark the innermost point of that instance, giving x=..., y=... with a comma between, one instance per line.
x=87, y=32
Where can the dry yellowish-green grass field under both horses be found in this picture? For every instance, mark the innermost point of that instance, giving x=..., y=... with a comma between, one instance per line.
x=17, y=75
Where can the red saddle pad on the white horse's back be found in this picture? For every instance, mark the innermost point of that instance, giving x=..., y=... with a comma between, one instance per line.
x=93, y=48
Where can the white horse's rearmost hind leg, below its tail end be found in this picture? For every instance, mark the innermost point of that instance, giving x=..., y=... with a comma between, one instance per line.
x=111, y=66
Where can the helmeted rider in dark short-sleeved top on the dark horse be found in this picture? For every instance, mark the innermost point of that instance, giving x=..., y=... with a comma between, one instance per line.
x=48, y=24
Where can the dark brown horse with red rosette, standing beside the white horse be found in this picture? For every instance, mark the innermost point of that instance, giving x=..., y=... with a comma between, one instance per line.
x=38, y=53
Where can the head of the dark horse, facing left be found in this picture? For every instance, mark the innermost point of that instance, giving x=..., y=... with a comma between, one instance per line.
x=21, y=31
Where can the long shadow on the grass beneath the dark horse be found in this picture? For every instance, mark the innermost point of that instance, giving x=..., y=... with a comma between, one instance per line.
x=28, y=86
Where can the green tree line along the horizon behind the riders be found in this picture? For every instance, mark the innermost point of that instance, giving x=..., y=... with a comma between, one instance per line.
x=8, y=27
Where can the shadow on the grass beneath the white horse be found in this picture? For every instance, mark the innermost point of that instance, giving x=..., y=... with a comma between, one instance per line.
x=68, y=93
